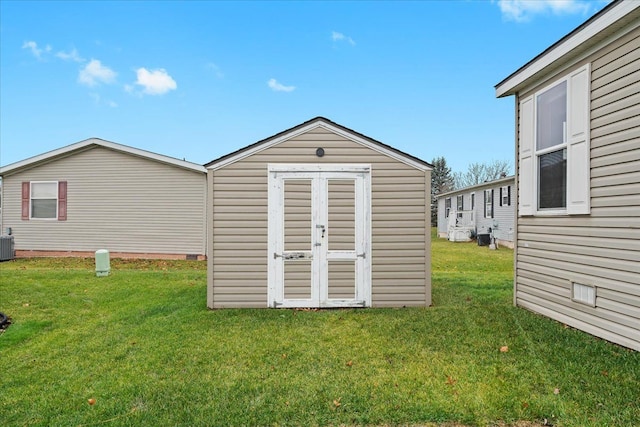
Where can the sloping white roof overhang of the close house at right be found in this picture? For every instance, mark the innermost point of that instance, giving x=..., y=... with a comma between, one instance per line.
x=607, y=19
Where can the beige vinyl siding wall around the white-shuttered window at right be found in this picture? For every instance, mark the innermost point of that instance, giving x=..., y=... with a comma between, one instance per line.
x=601, y=249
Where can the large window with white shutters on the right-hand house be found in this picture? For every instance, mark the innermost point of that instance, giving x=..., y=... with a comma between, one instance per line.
x=553, y=148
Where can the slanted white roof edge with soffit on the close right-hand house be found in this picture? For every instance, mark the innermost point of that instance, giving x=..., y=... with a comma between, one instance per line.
x=575, y=45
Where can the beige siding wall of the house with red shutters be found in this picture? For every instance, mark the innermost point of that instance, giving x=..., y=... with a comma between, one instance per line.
x=116, y=201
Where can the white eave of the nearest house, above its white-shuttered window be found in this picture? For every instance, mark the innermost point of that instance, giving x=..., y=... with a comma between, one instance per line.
x=580, y=39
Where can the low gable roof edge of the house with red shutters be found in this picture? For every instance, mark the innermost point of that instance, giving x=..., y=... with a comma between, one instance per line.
x=92, y=143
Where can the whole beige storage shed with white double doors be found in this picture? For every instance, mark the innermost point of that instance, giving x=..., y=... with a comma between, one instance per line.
x=318, y=216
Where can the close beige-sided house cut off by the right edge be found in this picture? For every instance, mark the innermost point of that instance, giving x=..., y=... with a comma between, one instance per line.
x=578, y=182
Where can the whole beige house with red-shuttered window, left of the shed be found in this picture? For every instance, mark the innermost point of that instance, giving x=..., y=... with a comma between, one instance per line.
x=97, y=194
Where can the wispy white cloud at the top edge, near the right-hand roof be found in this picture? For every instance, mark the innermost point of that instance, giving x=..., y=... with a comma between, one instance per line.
x=525, y=10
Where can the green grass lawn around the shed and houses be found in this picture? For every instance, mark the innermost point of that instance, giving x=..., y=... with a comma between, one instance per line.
x=142, y=344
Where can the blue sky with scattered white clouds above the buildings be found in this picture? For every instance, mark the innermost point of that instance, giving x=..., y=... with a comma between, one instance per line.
x=198, y=80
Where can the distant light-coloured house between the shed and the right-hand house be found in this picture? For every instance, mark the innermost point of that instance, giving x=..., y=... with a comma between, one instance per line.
x=485, y=209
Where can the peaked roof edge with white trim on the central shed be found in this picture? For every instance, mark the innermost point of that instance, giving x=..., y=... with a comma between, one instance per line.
x=312, y=124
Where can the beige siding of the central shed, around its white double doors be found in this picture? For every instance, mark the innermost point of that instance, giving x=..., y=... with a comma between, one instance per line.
x=400, y=232
